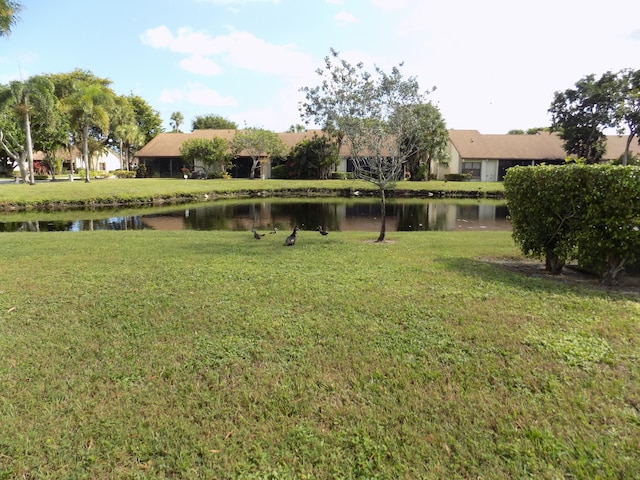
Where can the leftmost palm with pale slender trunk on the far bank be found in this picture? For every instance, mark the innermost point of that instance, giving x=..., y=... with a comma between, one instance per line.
x=26, y=99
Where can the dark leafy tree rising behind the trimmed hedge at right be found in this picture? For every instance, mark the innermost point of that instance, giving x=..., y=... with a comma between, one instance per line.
x=581, y=115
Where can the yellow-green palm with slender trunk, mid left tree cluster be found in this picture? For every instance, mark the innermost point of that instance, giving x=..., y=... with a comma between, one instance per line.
x=88, y=108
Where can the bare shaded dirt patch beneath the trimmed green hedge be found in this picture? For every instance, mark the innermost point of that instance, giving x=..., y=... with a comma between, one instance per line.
x=571, y=275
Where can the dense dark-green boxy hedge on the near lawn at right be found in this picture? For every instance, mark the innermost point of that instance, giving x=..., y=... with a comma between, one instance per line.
x=586, y=212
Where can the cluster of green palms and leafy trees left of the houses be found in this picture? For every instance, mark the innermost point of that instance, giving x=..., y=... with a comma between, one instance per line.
x=56, y=113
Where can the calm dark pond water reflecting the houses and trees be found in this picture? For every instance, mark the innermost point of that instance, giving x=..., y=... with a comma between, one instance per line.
x=269, y=213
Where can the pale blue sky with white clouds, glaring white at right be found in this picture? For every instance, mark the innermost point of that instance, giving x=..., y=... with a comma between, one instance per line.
x=495, y=64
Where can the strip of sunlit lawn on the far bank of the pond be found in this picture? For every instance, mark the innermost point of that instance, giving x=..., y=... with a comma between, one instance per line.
x=147, y=190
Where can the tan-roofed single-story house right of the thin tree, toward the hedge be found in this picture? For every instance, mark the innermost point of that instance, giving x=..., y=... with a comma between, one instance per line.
x=487, y=157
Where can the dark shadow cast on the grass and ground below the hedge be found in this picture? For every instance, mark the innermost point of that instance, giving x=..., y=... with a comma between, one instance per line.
x=531, y=275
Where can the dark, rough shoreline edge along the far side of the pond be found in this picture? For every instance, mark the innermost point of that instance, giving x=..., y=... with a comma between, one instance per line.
x=182, y=199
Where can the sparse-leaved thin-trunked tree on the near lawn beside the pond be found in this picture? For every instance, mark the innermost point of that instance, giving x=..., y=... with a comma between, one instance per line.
x=374, y=115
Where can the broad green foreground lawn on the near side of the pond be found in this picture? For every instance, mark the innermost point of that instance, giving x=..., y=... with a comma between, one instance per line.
x=198, y=355
